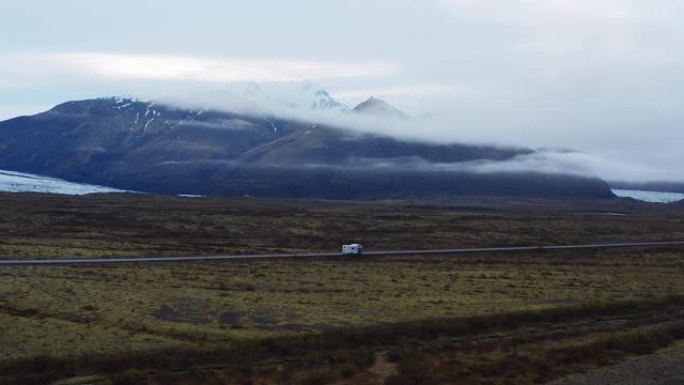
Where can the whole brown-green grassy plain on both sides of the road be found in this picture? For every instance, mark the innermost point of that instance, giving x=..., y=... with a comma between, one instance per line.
x=73, y=321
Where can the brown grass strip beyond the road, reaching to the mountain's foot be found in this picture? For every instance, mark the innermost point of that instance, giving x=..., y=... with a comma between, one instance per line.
x=38, y=226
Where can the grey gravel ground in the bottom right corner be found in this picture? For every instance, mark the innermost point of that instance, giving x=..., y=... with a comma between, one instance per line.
x=663, y=368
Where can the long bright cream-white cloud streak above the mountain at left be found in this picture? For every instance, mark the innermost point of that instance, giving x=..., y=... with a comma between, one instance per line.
x=30, y=69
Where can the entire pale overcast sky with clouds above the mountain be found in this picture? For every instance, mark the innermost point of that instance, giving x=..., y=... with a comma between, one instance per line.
x=604, y=77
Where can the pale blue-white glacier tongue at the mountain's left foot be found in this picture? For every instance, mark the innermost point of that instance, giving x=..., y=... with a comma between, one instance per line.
x=20, y=182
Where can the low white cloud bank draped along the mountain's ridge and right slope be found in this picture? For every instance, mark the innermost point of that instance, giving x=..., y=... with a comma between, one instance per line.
x=294, y=101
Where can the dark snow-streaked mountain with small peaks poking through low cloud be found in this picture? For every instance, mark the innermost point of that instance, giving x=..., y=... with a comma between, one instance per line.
x=152, y=147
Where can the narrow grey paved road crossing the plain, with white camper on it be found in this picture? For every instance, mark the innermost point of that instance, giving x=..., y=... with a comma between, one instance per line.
x=82, y=261
